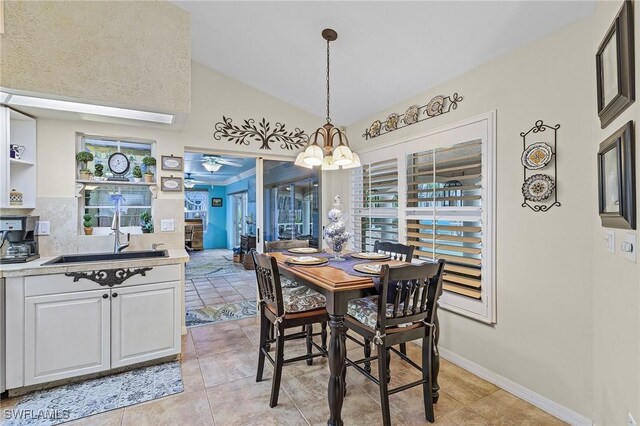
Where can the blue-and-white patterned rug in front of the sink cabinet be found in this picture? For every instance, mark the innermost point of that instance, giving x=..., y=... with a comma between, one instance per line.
x=74, y=401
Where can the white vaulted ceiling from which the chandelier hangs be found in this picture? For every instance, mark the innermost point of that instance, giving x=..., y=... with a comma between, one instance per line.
x=386, y=51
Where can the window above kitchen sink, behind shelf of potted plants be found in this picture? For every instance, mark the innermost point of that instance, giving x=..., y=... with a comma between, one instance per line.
x=96, y=199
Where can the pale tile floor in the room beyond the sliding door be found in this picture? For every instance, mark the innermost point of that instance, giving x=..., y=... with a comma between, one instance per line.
x=234, y=287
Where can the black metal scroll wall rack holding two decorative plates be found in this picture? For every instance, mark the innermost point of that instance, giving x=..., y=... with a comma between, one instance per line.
x=540, y=162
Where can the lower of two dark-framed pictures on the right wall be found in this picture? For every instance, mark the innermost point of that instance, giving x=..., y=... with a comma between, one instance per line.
x=616, y=180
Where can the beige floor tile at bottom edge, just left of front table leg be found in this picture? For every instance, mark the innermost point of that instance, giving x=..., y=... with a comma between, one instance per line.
x=254, y=409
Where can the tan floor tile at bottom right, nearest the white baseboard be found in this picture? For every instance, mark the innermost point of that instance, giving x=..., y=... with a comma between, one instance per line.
x=503, y=408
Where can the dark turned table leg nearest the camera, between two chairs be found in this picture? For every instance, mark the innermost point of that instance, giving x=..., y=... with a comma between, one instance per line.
x=337, y=354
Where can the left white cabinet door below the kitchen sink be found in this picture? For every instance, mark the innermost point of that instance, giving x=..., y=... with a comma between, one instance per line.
x=66, y=335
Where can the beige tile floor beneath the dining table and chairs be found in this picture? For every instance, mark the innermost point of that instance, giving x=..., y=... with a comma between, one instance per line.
x=219, y=364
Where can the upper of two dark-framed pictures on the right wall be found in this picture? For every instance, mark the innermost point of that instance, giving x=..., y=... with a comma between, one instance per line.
x=615, y=67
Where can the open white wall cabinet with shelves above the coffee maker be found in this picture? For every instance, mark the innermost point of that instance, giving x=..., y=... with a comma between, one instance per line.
x=17, y=173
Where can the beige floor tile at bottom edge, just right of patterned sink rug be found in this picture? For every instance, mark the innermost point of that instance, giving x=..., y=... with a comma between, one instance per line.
x=182, y=409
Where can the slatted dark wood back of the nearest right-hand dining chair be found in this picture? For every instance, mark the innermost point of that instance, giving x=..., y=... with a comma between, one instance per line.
x=417, y=289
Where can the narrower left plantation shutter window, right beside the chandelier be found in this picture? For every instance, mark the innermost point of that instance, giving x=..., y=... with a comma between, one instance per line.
x=374, y=198
